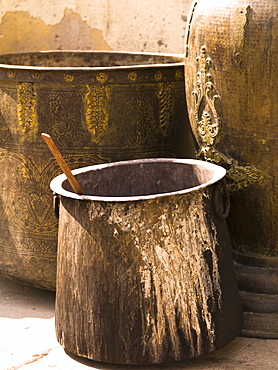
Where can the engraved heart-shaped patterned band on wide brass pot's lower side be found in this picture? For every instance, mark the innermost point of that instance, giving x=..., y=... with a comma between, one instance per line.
x=25, y=196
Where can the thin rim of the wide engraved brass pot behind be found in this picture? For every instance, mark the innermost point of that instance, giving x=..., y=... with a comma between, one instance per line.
x=178, y=63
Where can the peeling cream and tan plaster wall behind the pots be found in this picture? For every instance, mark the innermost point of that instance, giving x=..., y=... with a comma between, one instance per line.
x=134, y=25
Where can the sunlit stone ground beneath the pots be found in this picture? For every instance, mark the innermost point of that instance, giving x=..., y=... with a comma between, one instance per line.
x=28, y=341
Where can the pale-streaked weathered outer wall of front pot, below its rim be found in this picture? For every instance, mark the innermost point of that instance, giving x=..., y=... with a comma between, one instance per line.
x=138, y=282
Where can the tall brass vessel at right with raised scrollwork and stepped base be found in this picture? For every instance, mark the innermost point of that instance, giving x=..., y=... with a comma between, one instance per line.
x=231, y=85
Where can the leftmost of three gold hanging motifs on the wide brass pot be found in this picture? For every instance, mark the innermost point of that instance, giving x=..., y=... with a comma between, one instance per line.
x=26, y=107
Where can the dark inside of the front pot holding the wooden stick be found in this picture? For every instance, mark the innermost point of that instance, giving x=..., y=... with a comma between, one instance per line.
x=141, y=178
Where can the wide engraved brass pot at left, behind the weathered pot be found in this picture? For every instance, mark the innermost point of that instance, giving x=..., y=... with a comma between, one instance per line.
x=98, y=107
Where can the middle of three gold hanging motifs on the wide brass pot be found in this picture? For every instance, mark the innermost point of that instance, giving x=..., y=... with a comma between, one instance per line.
x=96, y=111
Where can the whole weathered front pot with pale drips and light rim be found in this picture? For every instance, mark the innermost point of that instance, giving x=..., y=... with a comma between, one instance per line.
x=145, y=271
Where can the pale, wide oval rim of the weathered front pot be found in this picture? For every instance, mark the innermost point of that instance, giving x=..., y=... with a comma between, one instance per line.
x=56, y=184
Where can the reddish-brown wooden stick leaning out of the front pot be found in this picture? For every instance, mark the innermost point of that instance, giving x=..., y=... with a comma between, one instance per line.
x=64, y=167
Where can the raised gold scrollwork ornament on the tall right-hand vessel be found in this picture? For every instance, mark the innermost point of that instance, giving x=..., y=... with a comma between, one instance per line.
x=208, y=126
